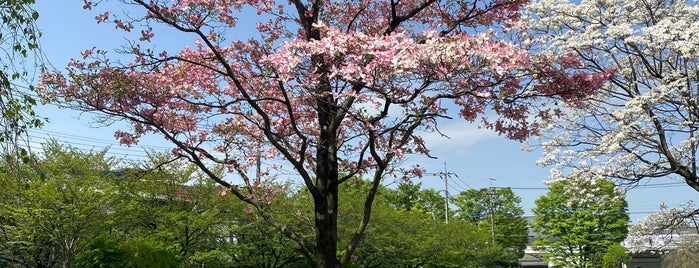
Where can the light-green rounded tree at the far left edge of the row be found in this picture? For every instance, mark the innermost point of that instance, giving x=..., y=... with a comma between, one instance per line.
x=56, y=205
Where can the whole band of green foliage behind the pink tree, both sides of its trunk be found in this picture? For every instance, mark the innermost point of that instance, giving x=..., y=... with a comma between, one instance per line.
x=163, y=213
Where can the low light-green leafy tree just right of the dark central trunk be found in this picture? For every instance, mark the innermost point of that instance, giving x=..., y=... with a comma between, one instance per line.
x=410, y=239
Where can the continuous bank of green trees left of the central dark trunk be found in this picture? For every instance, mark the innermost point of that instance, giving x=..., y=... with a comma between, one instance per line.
x=75, y=209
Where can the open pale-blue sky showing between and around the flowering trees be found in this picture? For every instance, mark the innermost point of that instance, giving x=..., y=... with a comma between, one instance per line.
x=474, y=155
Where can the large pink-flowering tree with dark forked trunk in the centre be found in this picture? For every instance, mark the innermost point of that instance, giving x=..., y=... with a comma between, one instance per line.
x=335, y=89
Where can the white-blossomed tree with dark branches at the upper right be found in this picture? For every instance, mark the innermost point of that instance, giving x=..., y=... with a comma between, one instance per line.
x=644, y=124
